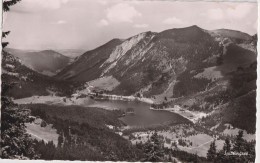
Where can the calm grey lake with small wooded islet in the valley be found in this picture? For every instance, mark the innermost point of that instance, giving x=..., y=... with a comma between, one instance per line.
x=142, y=116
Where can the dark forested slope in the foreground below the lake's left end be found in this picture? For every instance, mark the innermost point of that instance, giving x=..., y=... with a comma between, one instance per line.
x=83, y=135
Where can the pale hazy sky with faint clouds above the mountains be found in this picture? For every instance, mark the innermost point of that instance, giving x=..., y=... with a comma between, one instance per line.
x=86, y=24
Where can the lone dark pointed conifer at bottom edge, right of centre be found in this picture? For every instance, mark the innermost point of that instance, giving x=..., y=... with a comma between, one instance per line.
x=153, y=149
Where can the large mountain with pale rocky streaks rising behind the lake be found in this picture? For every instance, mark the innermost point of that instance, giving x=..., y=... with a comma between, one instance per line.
x=207, y=71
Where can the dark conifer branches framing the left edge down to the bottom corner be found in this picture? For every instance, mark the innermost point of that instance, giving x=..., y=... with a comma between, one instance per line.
x=15, y=143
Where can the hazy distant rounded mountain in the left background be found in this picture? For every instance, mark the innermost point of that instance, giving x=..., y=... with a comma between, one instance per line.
x=47, y=62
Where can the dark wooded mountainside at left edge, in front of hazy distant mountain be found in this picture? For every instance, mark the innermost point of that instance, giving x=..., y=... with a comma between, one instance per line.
x=27, y=83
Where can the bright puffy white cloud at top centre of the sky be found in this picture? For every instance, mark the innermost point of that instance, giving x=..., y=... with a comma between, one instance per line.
x=122, y=12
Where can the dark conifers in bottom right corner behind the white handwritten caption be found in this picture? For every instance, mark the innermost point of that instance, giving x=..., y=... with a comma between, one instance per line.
x=239, y=152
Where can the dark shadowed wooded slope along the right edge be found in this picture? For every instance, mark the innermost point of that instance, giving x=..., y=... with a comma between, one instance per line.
x=241, y=112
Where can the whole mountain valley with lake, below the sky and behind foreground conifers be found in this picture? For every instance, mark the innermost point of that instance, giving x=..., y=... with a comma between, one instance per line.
x=188, y=86
